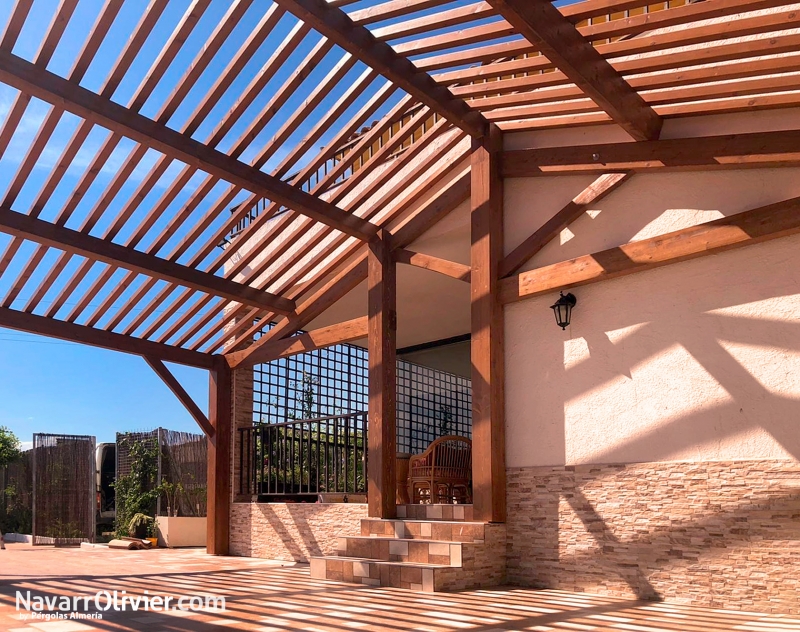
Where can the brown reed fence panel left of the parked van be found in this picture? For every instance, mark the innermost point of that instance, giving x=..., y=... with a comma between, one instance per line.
x=63, y=489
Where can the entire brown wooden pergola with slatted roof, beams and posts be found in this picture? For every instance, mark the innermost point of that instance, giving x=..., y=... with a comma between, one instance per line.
x=403, y=84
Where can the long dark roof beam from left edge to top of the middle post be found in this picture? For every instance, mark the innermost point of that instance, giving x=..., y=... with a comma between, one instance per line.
x=49, y=87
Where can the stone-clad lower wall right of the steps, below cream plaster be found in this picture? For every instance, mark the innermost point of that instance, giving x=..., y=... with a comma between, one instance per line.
x=717, y=534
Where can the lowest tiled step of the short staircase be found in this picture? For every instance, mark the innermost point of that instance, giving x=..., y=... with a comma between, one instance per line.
x=419, y=577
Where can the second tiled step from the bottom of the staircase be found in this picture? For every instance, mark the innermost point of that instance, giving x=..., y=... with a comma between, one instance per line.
x=402, y=550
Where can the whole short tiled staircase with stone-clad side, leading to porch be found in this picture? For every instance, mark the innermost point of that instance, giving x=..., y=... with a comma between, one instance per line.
x=429, y=548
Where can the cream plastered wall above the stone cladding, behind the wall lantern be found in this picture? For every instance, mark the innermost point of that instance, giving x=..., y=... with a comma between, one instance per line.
x=695, y=361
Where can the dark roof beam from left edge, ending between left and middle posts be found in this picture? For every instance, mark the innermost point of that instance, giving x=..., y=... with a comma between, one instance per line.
x=75, y=242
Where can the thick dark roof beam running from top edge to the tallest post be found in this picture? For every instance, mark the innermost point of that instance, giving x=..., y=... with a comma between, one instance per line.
x=338, y=27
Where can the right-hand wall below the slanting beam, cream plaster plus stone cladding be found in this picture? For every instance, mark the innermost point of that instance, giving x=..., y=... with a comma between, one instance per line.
x=693, y=372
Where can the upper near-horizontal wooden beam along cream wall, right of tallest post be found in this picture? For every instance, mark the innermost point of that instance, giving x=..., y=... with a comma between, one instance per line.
x=758, y=149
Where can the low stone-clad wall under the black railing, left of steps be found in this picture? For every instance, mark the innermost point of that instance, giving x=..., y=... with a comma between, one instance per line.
x=293, y=532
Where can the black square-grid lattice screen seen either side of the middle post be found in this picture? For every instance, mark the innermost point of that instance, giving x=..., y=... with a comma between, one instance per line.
x=333, y=381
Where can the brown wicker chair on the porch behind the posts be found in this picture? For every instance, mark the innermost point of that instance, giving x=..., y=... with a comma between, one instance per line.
x=443, y=473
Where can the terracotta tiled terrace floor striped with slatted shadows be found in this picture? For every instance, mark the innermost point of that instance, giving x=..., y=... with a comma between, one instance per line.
x=266, y=596
